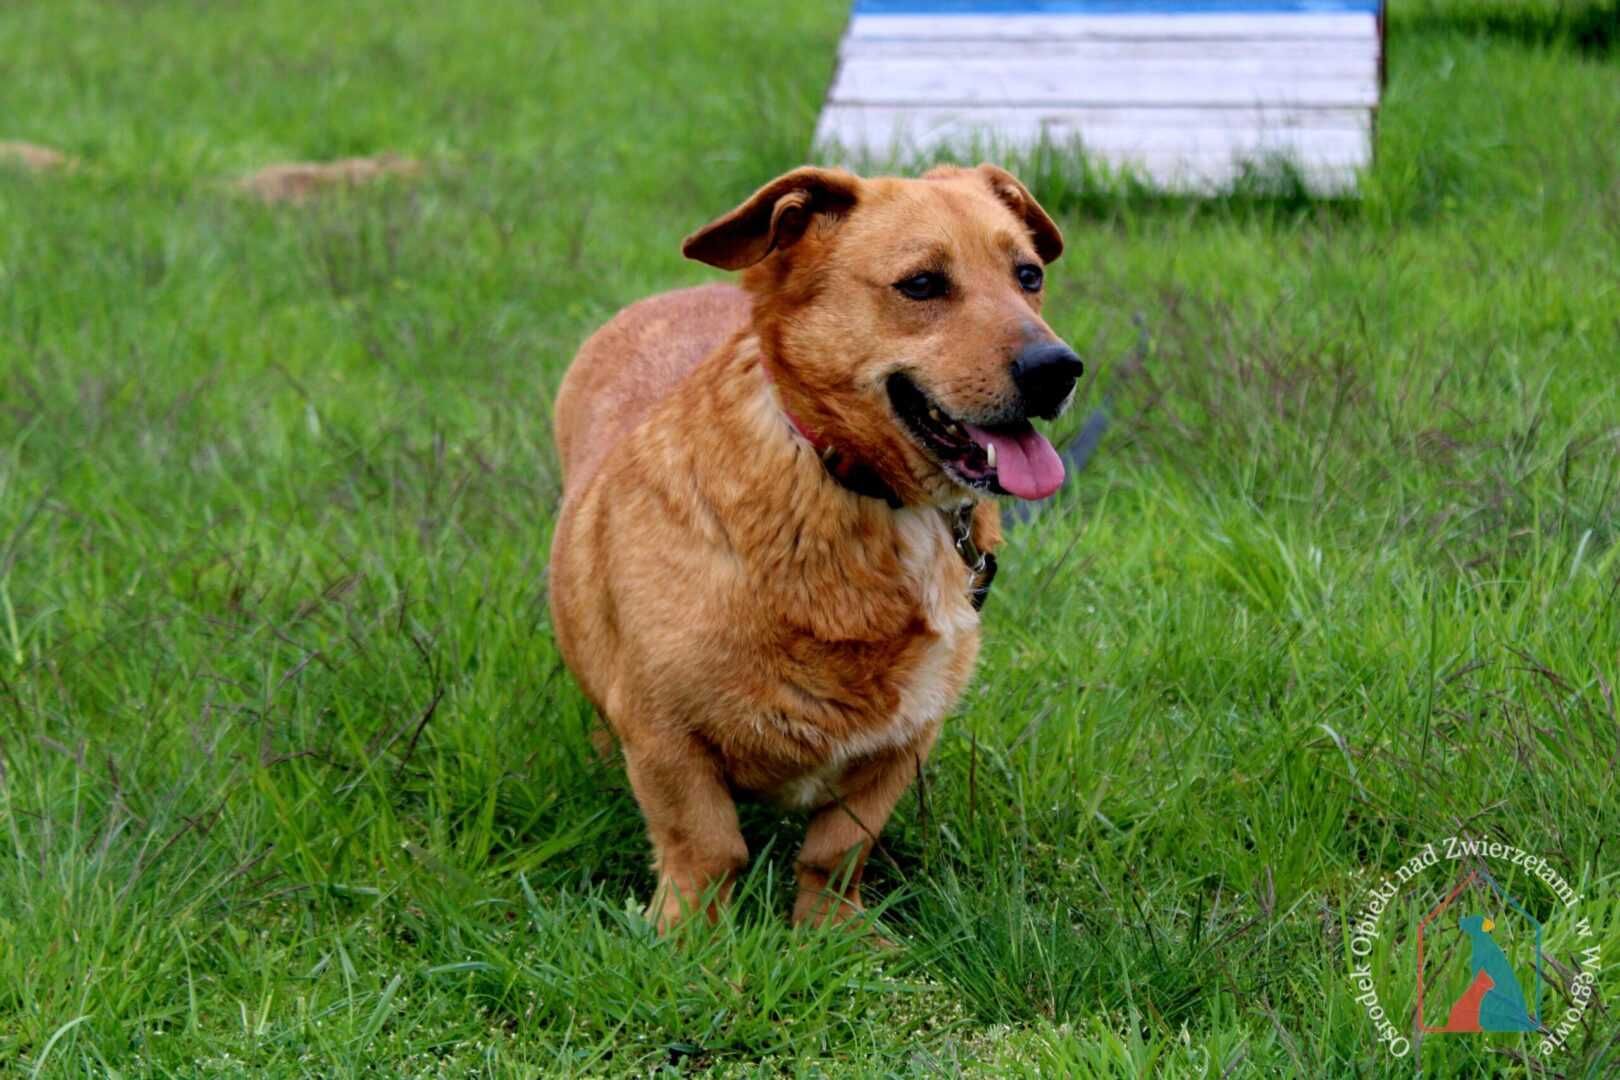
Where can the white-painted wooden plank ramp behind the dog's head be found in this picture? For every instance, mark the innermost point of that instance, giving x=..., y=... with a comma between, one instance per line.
x=1190, y=95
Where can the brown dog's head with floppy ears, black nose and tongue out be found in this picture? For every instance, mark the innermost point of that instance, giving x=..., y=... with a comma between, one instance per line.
x=902, y=323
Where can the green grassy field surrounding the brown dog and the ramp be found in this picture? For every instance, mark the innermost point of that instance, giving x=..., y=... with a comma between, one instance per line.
x=291, y=776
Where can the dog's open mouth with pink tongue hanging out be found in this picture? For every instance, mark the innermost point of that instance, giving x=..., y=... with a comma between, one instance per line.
x=1008, y=457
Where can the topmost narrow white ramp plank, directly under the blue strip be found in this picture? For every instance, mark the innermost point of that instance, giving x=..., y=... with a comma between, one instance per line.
x=1358, y=27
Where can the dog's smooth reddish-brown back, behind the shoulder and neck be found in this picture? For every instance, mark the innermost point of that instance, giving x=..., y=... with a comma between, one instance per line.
x=633, y=364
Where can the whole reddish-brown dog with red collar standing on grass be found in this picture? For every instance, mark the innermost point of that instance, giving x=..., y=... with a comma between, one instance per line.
x=754, y=574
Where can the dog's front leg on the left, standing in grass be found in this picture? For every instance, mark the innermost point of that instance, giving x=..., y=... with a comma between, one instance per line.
x=693, y=823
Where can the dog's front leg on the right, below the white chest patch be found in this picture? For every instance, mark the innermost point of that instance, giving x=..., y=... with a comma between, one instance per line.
x=842, y=836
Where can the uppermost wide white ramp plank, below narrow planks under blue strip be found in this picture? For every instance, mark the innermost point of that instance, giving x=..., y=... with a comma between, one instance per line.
x=1049, y=83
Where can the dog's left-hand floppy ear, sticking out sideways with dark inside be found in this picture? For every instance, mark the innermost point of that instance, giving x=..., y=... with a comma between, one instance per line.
x=774, y=218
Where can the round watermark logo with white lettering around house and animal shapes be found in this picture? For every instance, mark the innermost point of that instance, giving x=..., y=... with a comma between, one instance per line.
x=1443, y=948
